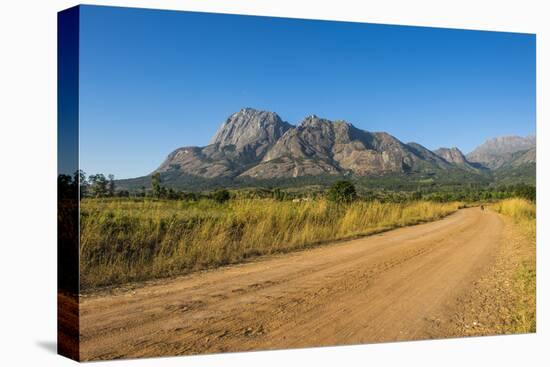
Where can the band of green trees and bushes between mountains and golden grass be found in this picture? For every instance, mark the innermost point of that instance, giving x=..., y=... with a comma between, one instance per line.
x=390, y=188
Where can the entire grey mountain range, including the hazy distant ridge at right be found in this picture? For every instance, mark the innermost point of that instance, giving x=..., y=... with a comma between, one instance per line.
x=258, y=145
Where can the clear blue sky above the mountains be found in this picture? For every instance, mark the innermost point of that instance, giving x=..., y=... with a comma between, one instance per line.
x=152, y=81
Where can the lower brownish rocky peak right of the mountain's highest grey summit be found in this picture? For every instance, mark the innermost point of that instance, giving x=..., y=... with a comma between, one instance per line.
x=319, y=146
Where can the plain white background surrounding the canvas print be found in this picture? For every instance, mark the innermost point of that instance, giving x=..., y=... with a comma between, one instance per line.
x=28, y=181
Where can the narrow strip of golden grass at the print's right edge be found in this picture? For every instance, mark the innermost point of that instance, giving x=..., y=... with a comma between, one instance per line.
x=523, y=212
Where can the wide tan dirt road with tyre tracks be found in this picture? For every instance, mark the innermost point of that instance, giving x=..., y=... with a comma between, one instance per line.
x=400, y=285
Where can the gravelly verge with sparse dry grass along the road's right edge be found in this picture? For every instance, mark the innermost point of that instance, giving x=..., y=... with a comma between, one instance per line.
x=502, y=301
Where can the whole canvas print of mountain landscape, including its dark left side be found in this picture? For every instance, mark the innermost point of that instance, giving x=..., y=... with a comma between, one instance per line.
x=242, y=183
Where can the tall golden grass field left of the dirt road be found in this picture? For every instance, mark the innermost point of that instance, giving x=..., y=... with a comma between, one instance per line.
x=127, y=240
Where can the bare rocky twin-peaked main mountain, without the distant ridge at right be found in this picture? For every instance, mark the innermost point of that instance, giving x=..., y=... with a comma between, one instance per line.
x=260, y=145
